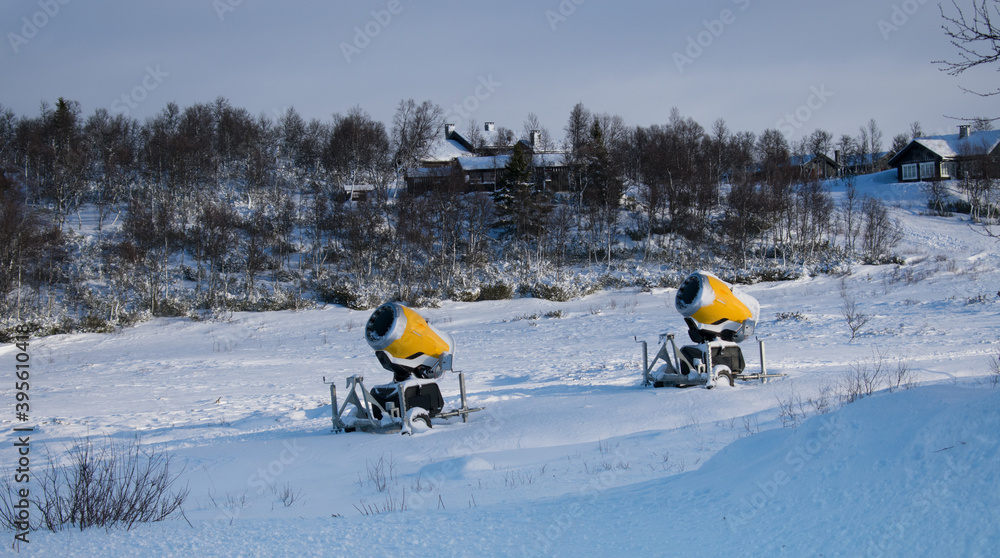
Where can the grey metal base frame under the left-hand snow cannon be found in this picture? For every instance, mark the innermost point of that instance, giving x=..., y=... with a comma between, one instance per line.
x=397, y=414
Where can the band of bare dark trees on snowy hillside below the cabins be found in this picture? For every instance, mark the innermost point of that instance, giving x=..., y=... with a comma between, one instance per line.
x=211, y=208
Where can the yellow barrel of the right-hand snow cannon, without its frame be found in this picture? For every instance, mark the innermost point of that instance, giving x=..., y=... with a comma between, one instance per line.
x=714, y=309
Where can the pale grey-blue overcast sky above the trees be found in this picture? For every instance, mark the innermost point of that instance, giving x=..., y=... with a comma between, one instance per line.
x=791, y=65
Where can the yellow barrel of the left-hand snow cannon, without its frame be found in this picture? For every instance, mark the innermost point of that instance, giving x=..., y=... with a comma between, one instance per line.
x=406, y=345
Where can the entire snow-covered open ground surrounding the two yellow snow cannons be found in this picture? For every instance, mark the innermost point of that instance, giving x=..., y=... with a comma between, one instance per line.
x=571, y=456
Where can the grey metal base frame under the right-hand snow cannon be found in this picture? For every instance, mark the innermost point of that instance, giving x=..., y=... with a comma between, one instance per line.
x=704, y=374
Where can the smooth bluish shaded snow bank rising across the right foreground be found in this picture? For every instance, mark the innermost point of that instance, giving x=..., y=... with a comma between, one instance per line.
x=903, y=474
